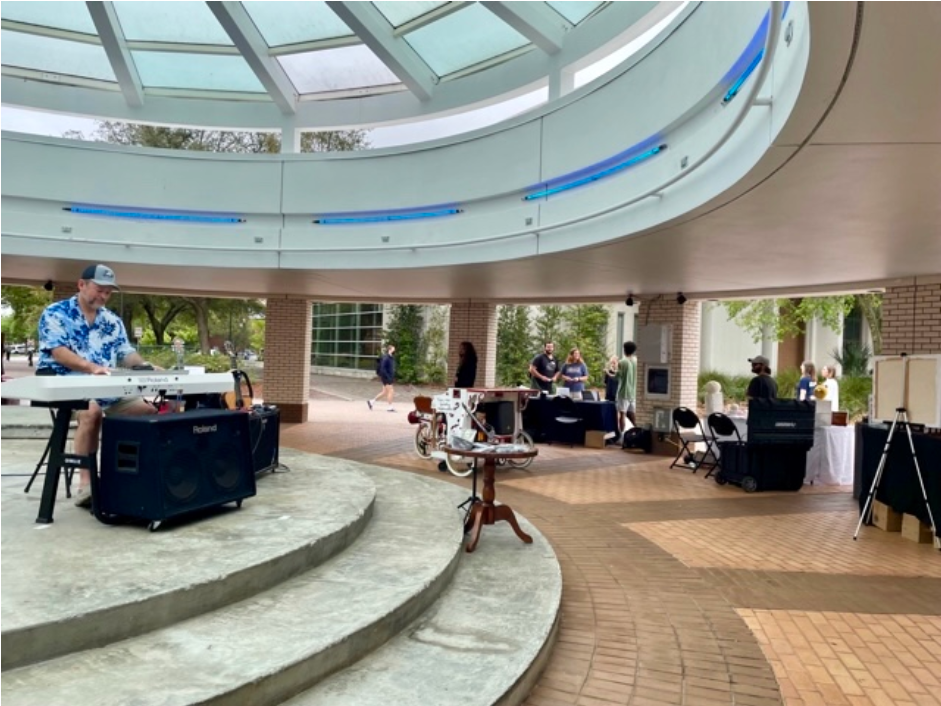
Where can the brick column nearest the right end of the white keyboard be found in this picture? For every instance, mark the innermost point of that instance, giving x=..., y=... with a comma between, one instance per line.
x=287, y=357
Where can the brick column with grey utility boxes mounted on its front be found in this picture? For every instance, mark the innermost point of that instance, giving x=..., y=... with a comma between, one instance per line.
x=686, y=320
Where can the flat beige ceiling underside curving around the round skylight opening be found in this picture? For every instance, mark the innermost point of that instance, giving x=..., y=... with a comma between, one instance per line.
x=847, y=196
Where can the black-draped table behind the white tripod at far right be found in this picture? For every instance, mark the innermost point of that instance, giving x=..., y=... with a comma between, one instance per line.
x=899, y=487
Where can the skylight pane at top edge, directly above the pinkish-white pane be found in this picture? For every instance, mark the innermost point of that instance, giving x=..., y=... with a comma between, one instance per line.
x=294, y=22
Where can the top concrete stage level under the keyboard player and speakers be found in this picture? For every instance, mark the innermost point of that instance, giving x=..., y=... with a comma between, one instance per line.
x=78, y=584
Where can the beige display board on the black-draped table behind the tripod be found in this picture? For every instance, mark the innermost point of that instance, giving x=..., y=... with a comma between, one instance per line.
x=912, y=382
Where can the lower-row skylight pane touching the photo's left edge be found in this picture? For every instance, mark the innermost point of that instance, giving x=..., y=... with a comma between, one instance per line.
x=55, y=56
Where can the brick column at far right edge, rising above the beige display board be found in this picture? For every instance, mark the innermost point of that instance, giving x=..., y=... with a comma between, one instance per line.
x=911, y=317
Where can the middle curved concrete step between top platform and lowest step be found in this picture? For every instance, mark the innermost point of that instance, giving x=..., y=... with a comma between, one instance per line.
x=276, y=644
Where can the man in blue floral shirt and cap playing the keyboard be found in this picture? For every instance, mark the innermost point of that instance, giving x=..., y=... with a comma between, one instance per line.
x=79, y=336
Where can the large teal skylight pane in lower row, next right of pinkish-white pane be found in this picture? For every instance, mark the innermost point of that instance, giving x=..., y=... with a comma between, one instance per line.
x=464, y=38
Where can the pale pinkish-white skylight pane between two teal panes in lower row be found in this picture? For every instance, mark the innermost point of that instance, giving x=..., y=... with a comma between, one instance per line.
x=337, y=69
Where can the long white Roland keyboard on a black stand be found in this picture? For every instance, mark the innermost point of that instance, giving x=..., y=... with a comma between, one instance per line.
x=68, y=388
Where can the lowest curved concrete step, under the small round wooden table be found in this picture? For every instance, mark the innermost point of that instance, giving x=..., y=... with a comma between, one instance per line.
x=485, y=641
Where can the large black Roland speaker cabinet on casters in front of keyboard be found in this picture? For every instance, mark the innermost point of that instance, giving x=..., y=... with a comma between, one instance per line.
x=160, y=466
